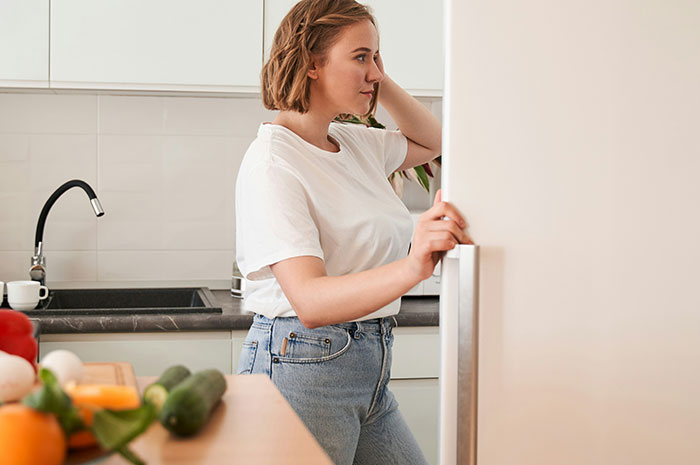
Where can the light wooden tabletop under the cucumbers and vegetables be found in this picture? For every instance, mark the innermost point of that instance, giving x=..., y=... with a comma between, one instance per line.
x=253, y=425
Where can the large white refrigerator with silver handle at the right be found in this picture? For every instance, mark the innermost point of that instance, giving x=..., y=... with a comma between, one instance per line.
x=571, y=334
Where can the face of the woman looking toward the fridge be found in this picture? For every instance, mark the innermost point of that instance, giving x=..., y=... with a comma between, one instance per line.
x=345, y=83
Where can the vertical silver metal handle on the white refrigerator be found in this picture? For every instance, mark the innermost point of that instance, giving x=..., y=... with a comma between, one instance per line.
x=459, y=341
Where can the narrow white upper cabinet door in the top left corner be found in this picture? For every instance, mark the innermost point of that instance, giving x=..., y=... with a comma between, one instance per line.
x=24, y=43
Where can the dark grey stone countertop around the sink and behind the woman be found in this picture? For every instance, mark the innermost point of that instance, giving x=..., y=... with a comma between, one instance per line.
x=415, y=311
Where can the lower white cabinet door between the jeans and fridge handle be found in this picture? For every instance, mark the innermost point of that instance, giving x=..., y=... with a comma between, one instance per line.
x=419, y=404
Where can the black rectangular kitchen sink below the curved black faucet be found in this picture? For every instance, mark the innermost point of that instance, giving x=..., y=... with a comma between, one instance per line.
x=127, y=301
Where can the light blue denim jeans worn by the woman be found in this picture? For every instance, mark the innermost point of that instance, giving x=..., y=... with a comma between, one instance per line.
x=335, y=378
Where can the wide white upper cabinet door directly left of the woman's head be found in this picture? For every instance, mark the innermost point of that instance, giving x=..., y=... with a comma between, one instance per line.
x=209, y=45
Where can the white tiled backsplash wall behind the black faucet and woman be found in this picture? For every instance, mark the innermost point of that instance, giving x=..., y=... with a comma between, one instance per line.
x=163, y=167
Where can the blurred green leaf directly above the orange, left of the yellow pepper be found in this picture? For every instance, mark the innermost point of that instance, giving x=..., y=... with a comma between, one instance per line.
x=50, y=398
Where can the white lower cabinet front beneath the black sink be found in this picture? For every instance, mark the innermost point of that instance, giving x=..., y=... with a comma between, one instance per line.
x=149, y=353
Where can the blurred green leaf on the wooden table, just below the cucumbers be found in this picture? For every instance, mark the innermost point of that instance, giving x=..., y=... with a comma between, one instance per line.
x=115, y=428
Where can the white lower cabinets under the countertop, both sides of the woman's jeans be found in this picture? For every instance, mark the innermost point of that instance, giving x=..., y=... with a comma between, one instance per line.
x=414, y=379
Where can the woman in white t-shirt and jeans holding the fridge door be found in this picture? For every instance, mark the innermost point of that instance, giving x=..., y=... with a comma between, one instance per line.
x=322, y=239
